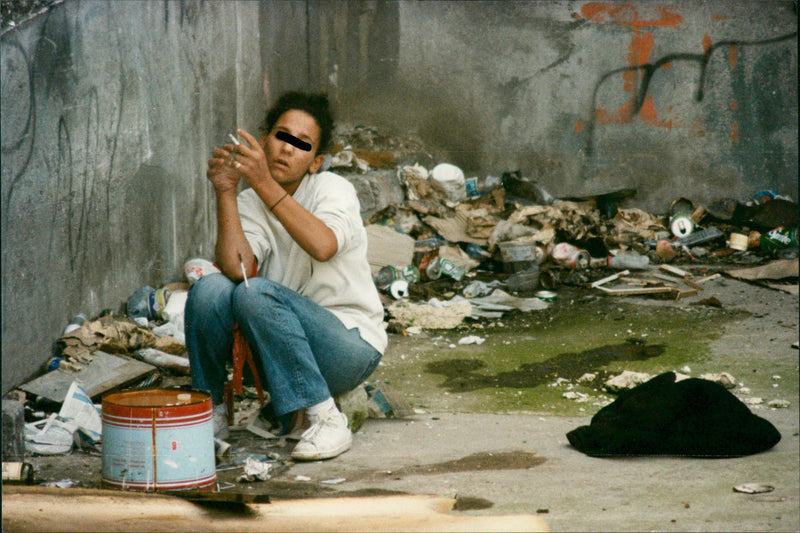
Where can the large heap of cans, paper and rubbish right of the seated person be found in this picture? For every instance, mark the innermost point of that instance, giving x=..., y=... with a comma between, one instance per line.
x=460, y=246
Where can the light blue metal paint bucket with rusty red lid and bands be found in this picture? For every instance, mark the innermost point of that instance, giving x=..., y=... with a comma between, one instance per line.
x=158, y=439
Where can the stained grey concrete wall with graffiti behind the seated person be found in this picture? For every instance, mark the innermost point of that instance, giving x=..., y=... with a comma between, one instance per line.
x=110, y=109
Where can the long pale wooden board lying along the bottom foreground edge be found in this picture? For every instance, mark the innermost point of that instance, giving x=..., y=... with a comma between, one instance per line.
x=121, y=511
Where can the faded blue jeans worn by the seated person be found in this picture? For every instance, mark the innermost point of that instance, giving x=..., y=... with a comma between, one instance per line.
x=304, y=354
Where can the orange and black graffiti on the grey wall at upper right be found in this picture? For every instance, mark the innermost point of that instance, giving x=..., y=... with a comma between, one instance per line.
x=638, y=75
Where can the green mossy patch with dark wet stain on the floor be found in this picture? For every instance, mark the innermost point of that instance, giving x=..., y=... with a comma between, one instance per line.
x=529, y=360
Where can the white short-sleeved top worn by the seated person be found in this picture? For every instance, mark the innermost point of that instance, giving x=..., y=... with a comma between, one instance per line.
x=343, y=284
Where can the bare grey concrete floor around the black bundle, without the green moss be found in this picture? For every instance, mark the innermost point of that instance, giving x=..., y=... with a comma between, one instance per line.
x=524, y=464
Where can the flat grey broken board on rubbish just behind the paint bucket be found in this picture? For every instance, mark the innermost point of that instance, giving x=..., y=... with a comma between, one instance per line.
x=104, y=373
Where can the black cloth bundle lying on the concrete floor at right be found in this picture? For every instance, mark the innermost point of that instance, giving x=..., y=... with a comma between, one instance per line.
x=693, y=417
